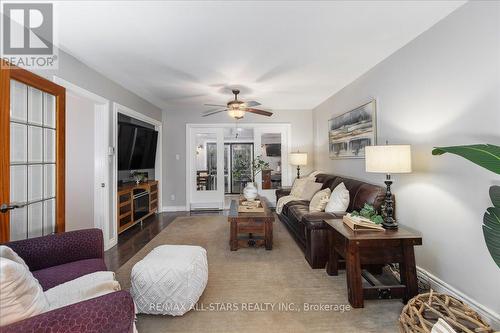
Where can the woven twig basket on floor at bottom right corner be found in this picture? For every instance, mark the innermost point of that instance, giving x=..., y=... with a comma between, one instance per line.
x=423, y=311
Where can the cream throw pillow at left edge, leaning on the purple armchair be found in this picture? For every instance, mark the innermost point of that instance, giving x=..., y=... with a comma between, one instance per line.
x=22, y=295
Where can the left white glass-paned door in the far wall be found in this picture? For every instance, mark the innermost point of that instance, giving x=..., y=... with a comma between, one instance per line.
x=206, y=170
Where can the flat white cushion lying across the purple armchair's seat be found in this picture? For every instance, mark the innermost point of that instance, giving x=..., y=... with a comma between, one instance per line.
x=82, y=288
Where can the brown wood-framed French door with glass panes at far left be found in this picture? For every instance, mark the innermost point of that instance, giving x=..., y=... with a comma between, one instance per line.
x=32, y=138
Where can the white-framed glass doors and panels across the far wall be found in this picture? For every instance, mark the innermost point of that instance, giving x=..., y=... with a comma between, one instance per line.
x=221, y=158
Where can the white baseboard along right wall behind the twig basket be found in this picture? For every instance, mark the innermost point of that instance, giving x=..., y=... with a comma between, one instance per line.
x=439, y=285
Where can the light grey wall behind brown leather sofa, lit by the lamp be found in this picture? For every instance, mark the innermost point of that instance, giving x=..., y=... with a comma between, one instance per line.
x=441, y=89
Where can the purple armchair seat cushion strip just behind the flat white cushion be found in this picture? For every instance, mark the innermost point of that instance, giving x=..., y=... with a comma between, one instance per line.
x=52, y=276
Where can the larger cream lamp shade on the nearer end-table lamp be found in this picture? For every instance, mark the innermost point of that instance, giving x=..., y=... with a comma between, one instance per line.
x=388, y=159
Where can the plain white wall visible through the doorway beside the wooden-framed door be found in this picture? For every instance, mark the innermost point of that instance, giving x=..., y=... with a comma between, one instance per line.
x=79, y=163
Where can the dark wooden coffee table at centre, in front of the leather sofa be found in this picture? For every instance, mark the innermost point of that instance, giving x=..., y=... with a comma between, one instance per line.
x=250, y=229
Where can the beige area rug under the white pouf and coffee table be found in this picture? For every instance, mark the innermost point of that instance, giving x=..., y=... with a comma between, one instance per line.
x=254, y=290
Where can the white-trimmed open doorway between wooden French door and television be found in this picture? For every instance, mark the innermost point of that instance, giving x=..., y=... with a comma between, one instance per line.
x=87, y=160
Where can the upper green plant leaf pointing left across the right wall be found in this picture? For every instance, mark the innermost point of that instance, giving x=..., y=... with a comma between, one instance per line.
x=485, y=155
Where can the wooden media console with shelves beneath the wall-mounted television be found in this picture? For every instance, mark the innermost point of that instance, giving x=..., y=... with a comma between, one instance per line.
x=125, y=205
